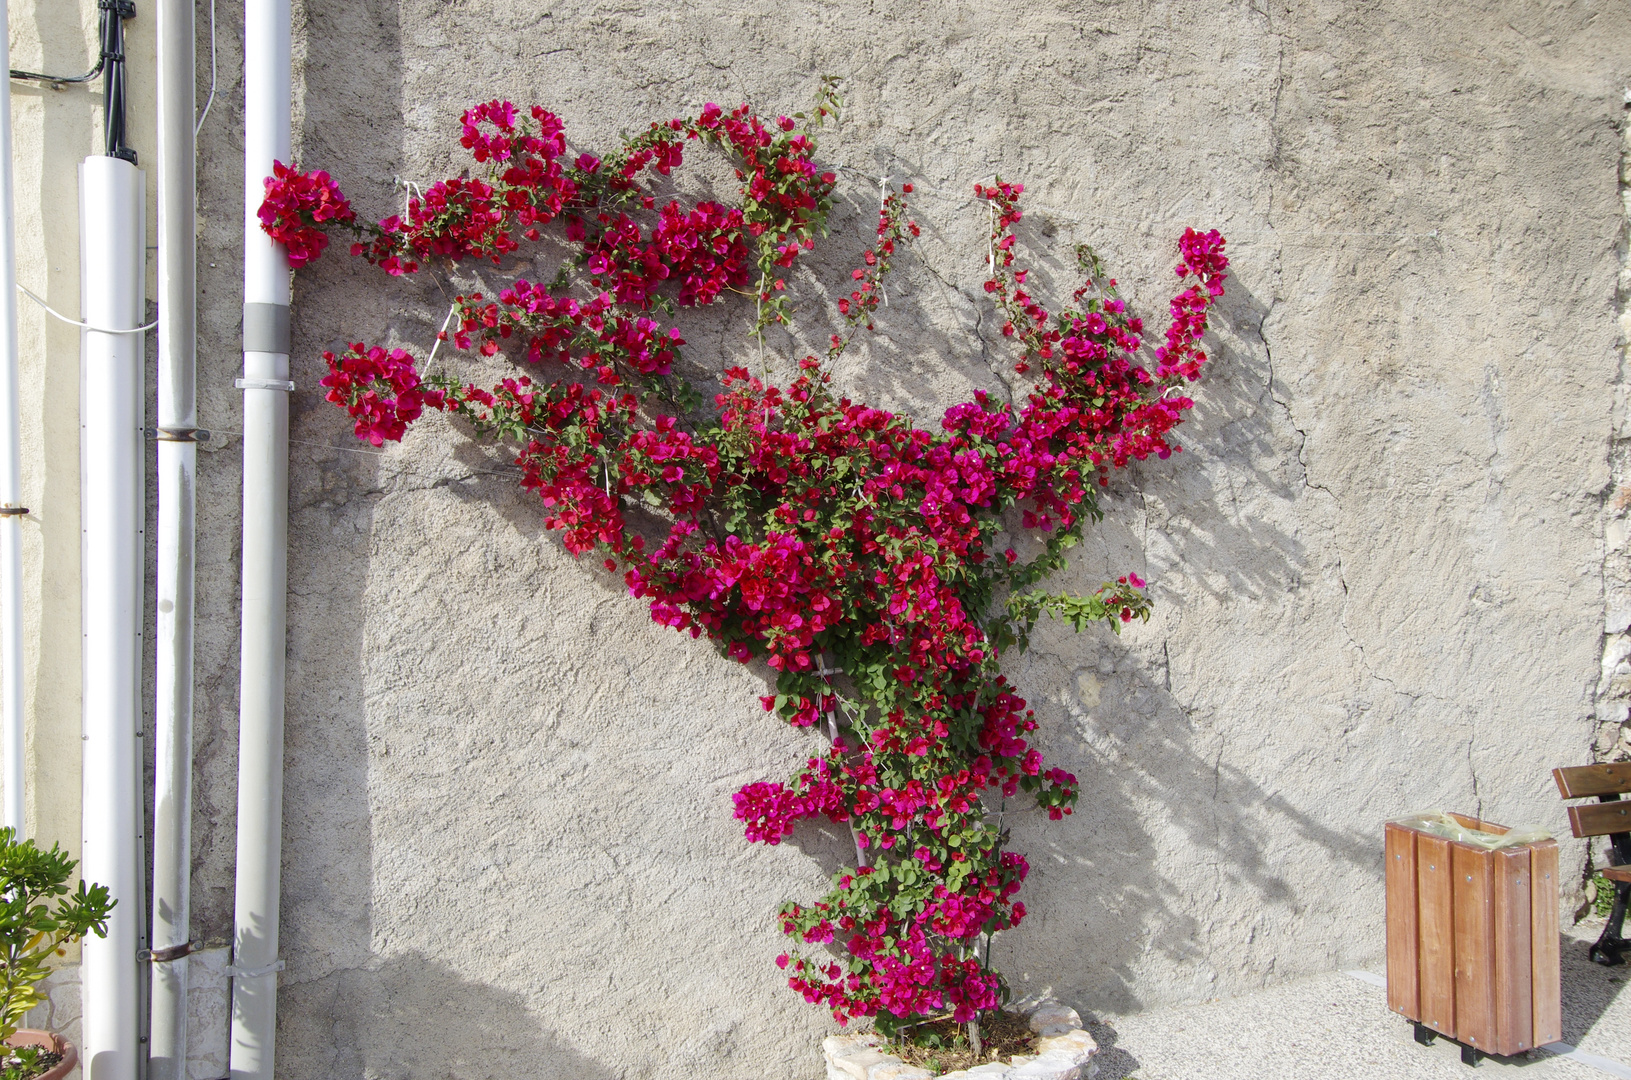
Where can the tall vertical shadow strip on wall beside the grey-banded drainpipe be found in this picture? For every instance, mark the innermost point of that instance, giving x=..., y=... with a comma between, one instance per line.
x=351, y=122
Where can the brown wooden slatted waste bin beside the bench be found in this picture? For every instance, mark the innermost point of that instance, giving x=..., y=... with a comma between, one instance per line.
x=1474, y=939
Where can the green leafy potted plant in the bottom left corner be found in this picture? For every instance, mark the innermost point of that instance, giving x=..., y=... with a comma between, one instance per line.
x=38, y=921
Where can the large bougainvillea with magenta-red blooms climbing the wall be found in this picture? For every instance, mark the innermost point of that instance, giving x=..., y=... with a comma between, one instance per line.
x=860, y=557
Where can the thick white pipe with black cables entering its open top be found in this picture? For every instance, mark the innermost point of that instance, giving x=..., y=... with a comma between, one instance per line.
x=113, y=503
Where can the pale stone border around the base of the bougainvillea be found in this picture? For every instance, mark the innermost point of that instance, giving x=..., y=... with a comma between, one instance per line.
x=1066, y=1053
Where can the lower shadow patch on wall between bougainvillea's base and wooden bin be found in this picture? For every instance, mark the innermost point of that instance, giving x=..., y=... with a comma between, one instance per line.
x=1165, y=830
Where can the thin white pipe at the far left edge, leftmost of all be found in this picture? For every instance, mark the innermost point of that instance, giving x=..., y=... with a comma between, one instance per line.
x=11, y=484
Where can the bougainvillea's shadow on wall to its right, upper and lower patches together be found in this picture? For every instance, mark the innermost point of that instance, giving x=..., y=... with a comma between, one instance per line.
x=1177, y=861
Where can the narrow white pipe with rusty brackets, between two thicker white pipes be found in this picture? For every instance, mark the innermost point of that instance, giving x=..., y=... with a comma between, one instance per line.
x=177, y=471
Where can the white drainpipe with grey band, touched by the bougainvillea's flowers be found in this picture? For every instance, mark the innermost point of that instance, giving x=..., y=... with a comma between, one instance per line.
x=267, y=389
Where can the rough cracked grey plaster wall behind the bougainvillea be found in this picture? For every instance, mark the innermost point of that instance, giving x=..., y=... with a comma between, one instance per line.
x=1379, y=565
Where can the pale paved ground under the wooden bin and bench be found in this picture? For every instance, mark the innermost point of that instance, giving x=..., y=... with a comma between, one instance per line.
x=1340, y=1027
